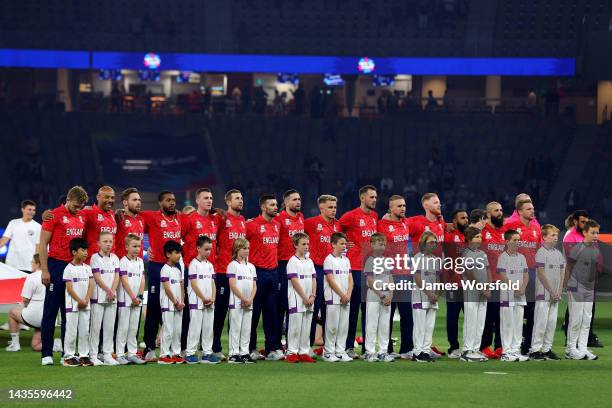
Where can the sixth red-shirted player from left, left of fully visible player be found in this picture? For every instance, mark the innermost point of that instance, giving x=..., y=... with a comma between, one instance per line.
x=231, y=227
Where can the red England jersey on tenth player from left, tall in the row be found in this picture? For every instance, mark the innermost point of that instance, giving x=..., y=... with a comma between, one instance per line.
x=358, y=227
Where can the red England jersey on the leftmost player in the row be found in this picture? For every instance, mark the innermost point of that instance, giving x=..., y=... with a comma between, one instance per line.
x=63, y=227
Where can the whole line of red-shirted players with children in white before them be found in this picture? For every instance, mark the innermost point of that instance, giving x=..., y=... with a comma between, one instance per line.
x=253, y=259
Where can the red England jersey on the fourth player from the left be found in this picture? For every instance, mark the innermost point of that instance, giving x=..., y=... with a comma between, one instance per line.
x=161, y=229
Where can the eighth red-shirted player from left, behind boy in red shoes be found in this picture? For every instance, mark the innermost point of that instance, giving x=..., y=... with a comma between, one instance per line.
x=291, y=222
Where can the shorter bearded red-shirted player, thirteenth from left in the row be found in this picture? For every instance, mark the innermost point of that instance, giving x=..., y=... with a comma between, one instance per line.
x=454, y=243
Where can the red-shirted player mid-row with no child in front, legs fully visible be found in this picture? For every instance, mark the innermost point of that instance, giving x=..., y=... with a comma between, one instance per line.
x=263, y=234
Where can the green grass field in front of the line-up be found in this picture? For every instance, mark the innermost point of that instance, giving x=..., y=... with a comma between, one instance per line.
x=356, y=384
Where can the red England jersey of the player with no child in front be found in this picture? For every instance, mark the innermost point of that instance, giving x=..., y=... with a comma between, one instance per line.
x=263, y=236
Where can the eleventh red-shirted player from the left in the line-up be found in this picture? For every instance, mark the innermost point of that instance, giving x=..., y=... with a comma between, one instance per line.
x=393, y=225
